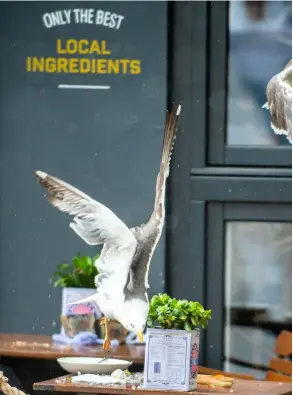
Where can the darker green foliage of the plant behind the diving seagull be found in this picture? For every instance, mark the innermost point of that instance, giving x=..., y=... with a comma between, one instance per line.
x=80, y=273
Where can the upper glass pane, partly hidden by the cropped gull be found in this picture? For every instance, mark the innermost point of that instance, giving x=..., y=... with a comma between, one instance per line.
x=260, y=47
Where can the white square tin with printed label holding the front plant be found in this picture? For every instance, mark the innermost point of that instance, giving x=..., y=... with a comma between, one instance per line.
x=171, y=359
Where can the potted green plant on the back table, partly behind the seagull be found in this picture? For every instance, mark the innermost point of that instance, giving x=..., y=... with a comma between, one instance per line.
x=77, y=280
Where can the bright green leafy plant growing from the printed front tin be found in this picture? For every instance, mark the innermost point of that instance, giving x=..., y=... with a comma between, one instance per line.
x=168, y=313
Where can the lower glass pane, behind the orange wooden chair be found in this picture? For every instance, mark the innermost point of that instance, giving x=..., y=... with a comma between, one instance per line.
x=258, y=301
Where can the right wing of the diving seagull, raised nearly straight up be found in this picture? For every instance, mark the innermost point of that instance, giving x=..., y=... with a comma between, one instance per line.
x=149, y=234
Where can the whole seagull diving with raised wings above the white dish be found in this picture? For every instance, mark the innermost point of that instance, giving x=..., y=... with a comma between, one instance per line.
x=125, y=258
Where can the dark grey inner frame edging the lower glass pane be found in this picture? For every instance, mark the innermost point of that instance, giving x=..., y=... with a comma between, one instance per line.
x=218, y=214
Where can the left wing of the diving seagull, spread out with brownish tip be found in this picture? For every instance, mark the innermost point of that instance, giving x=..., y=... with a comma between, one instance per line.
x=95, y=224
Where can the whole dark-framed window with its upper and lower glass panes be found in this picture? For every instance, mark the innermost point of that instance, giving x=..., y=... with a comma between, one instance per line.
x=227, y=188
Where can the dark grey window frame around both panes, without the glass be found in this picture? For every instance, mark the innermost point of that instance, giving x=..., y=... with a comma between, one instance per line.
x=207, y=176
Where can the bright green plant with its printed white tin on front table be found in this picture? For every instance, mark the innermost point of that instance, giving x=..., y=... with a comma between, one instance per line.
x=172, y=343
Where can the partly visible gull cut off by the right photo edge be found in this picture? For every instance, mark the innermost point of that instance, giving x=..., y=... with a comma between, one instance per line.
x=279, y=96
